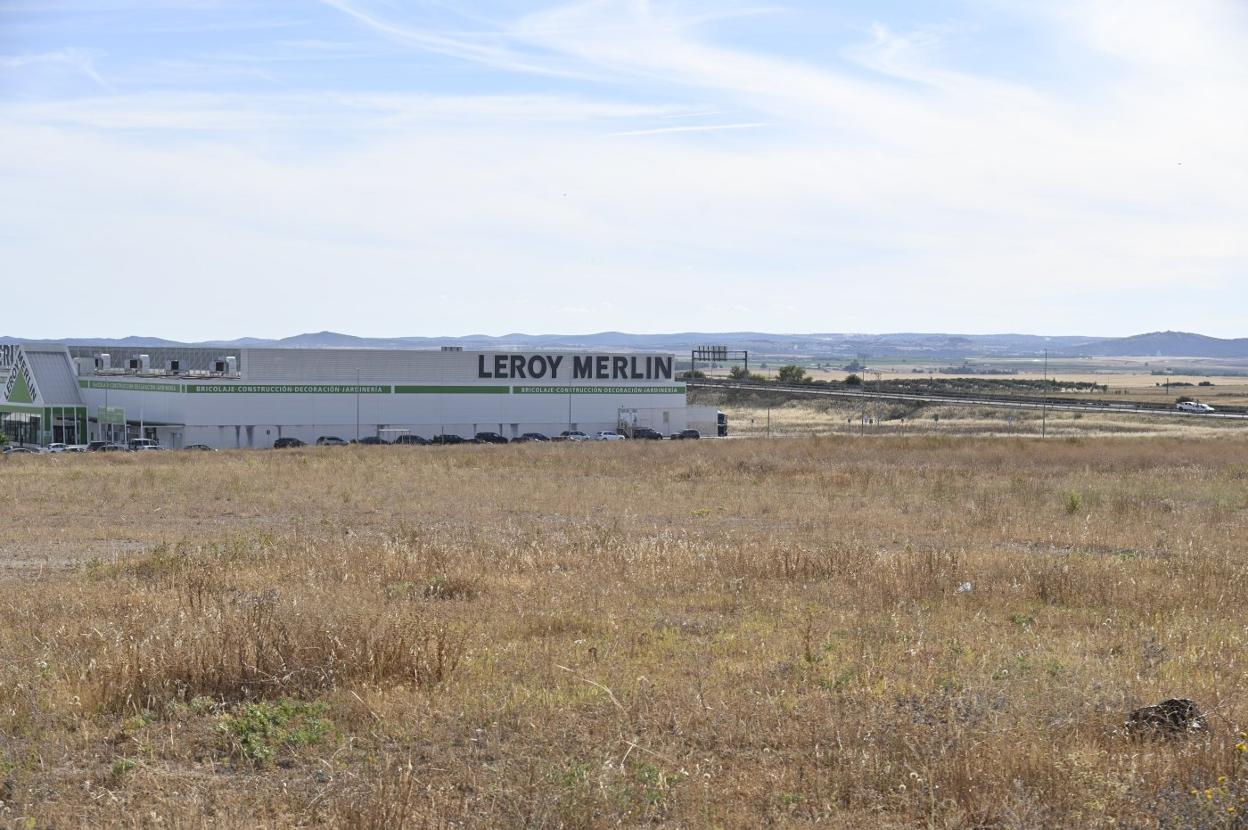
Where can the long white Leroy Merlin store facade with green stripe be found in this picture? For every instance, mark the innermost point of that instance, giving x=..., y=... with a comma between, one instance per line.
x=251, y=398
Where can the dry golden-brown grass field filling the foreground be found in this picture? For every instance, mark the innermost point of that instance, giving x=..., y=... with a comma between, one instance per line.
x=937, y=631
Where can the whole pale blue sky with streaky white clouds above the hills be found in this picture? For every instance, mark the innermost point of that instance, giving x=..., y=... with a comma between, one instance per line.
x=217, y=169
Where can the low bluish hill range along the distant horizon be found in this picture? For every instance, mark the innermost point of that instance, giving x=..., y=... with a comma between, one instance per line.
x=831, y=346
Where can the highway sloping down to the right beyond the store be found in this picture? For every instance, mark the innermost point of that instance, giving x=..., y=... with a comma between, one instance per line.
x=1053, y=405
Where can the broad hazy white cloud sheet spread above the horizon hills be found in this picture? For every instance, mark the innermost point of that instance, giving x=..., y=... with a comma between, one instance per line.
x=904, y=194
